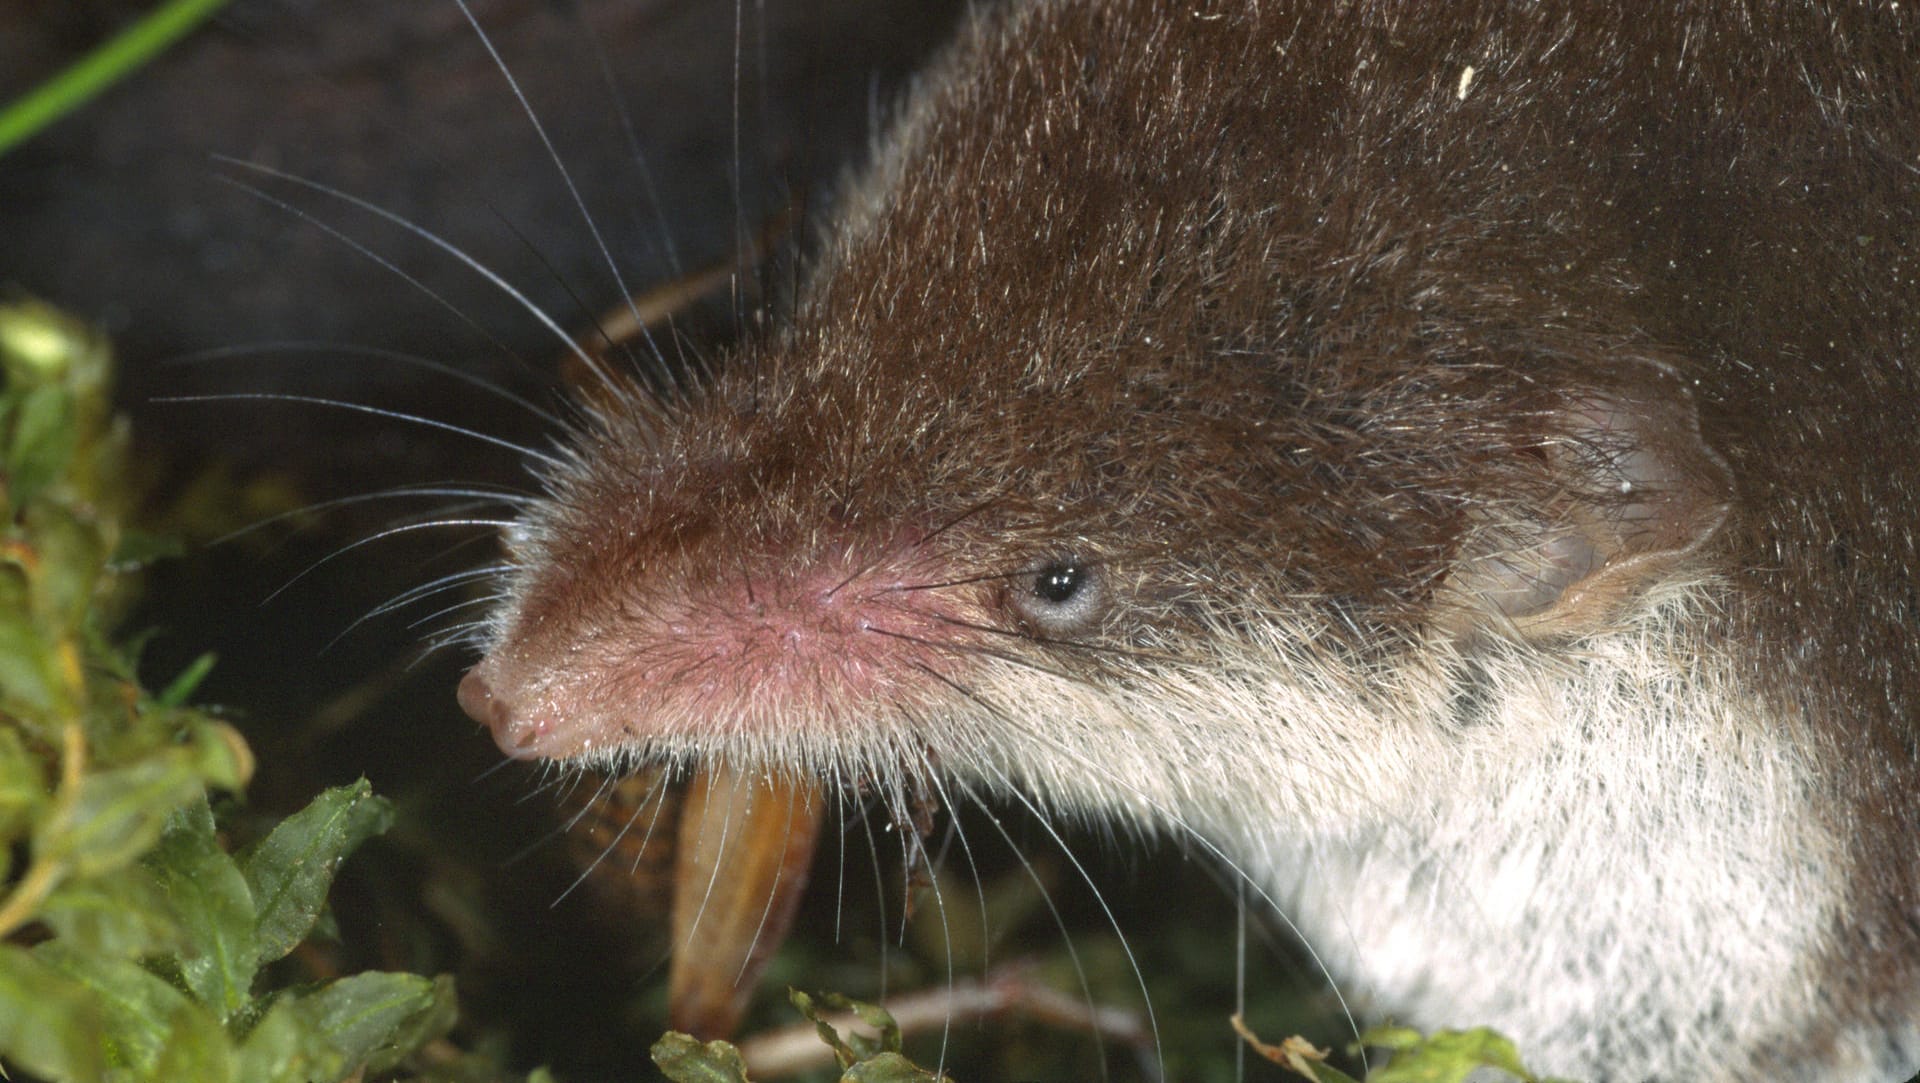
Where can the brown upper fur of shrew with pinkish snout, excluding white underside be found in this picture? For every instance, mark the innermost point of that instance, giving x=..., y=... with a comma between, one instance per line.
x=1259, y=312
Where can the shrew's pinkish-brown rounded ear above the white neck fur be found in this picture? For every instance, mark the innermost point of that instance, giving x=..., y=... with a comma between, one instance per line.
x=1627, y=493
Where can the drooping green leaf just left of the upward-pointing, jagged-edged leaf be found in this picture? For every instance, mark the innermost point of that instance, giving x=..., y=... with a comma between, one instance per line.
x=214, y=907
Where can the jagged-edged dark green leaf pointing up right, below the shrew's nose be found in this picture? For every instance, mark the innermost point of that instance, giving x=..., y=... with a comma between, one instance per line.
x=293, y=869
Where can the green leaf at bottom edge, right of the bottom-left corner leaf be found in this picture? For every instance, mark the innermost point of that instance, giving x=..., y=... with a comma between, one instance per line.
x=147, y=1023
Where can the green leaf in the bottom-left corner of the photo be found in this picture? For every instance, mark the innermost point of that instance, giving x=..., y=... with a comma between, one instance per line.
x=49, y=1023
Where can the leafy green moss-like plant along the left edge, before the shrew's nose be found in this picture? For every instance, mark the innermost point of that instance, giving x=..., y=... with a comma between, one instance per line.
x=133, y=946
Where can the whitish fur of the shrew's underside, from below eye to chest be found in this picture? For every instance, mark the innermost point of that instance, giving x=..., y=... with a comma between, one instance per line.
x=1614, y=857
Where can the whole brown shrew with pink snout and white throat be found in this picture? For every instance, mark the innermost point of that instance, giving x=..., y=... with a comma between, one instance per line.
x=1460, y=462
